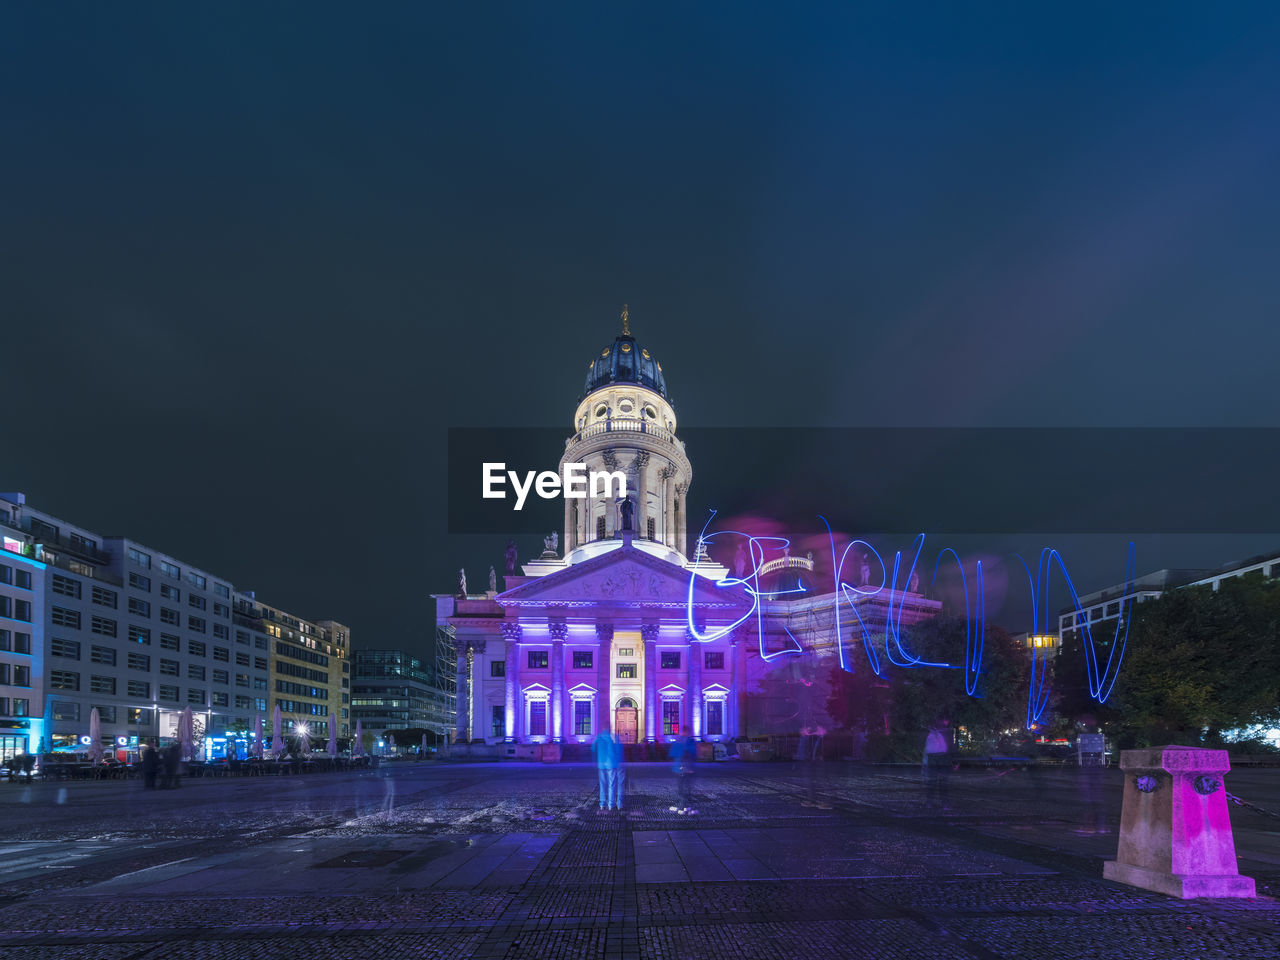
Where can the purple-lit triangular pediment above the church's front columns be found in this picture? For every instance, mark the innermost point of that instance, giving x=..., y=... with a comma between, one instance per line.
x=627, y=578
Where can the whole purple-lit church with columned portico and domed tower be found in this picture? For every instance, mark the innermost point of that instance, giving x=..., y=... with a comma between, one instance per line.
x=597, y=637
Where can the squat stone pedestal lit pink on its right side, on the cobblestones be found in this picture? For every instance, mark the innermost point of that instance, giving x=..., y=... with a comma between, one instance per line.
x=1176, y=831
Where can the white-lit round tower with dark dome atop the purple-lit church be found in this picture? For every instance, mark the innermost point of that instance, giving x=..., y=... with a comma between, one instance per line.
x=625, y=423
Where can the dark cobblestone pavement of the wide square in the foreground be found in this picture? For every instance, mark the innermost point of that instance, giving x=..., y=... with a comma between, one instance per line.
x=516, y=861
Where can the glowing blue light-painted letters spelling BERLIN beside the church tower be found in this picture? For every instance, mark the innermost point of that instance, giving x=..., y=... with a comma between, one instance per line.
x=849, y=625
